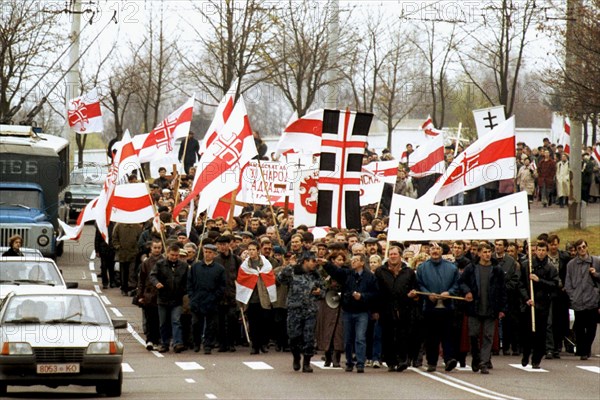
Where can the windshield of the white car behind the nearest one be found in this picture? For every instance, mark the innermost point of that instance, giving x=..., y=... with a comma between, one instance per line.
x=37, y=272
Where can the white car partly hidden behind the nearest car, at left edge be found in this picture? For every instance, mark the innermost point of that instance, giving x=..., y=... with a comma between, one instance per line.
x=21, y=271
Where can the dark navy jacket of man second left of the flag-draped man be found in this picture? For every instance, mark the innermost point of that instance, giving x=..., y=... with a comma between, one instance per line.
x=205, y=287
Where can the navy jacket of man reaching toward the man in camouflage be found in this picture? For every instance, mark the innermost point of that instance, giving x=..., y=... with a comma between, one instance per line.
x=365, y=284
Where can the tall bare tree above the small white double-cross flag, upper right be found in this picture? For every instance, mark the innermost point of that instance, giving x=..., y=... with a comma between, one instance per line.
x=497, y=46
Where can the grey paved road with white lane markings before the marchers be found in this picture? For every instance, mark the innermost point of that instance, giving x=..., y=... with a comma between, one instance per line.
x=188, y=375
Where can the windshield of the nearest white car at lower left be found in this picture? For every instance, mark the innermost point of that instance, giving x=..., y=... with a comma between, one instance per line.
x=55, y=309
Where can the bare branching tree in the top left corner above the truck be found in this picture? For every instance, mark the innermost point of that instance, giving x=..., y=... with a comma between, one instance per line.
x=28, y=41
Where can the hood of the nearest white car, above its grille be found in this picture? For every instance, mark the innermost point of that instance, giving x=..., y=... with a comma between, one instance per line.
x=57, y=335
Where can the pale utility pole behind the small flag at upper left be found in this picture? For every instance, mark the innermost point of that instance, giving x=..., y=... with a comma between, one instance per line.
x=72, y=80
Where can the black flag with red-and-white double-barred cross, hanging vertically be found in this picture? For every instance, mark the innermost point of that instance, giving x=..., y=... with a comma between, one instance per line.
x=343, y=144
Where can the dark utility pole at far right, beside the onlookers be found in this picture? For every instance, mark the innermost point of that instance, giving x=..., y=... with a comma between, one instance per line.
x=575, y=210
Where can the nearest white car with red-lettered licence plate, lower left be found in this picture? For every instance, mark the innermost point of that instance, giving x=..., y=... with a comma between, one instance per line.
x=58, y=337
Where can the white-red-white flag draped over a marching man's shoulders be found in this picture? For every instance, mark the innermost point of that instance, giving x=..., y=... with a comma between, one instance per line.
x=247, y=279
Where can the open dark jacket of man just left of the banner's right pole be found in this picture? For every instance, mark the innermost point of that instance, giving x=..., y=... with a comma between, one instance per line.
x=470, y=282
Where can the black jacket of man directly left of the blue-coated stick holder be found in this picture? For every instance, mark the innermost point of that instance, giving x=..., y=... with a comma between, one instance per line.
x=393, y=301
